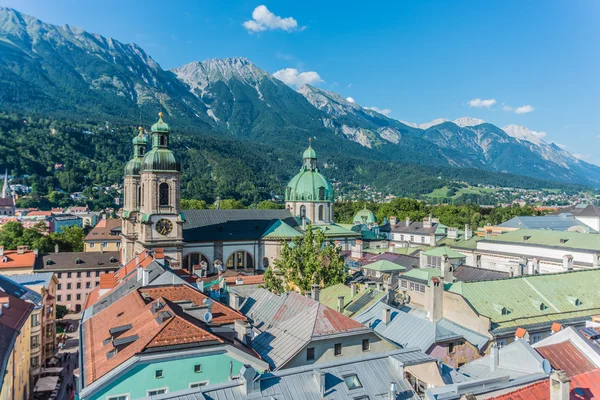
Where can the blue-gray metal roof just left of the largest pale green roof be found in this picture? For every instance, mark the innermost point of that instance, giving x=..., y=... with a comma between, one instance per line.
x=410, y=327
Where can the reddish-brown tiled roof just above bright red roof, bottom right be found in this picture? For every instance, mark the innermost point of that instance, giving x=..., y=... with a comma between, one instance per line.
x=566, y=356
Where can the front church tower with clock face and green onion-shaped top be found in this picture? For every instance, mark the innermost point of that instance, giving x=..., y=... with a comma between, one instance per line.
x=158, y=223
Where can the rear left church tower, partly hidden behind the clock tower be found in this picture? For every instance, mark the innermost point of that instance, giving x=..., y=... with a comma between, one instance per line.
x=132, y=197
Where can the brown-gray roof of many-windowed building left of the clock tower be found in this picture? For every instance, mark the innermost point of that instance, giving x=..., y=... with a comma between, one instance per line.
x=64, y=261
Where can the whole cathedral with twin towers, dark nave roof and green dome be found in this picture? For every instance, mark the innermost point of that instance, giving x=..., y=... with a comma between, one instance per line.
x=248, y=240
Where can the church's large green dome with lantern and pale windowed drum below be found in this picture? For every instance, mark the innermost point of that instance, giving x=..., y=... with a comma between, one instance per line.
x=309, y=194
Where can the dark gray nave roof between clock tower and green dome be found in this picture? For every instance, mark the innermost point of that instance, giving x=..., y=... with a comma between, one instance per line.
x=227, y=225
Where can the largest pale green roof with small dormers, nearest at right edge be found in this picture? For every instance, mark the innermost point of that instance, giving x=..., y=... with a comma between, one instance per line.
x=522, y=296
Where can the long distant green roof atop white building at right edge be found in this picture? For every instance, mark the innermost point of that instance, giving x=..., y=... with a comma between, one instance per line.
x=541, y=237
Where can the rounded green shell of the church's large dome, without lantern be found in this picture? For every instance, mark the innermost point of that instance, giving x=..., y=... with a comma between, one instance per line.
x=309, y=186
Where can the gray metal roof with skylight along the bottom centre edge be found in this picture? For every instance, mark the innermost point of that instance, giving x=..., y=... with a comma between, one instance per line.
x=375, y=373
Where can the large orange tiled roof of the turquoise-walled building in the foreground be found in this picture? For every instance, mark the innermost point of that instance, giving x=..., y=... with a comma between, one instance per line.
x=177, y=328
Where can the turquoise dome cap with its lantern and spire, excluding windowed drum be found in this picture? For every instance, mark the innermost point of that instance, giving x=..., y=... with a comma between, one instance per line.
x=309, y=185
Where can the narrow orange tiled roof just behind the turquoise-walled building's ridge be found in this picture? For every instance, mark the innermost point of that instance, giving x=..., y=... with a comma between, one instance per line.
x=221, y=313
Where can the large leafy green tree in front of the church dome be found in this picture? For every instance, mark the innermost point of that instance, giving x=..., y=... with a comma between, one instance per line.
x=307, y=261
